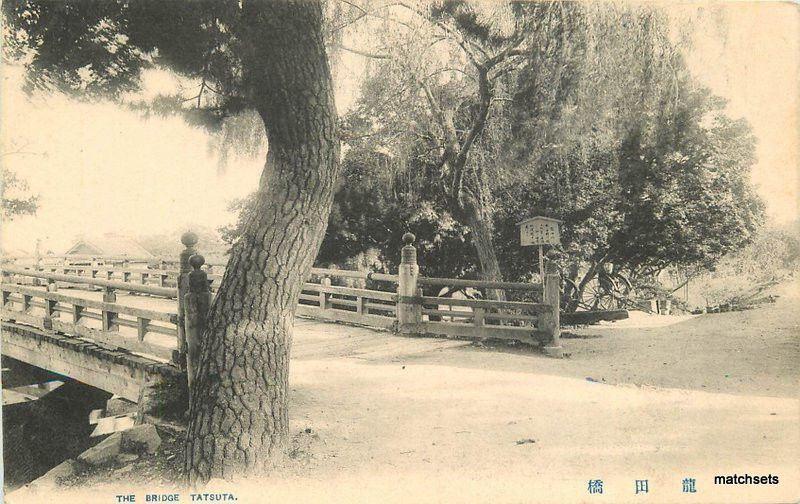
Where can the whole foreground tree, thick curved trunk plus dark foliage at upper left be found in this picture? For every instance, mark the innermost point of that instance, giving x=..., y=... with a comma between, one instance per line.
x=268, y=57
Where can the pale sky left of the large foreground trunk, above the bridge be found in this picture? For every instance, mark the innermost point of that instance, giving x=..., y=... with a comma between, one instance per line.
x=101, y=169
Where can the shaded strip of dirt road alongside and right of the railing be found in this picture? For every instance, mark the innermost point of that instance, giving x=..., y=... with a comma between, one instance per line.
x=753, y=352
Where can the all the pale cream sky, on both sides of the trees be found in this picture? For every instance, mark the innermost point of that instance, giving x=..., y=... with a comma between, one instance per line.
x=100, y=169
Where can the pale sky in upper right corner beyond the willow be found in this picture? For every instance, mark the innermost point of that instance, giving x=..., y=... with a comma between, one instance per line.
x=749, y=53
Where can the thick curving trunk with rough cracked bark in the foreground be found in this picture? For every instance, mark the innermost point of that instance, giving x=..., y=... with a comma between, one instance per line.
x=238, y=414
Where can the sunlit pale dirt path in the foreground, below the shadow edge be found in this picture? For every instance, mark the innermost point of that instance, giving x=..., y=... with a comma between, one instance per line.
x=370, y=432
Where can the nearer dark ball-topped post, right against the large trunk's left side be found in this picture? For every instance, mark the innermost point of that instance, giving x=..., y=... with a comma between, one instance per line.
x=196, y=305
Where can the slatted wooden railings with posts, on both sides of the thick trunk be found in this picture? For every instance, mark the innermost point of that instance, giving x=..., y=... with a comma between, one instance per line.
x=33, y=294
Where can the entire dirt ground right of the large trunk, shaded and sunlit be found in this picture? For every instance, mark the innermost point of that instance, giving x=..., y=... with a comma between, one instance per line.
x=715, y=394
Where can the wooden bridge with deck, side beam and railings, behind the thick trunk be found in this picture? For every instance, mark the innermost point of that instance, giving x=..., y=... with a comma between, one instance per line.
x=126, y=324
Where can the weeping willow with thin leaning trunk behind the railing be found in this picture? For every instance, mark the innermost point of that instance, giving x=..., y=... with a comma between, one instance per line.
x=479, y=93
